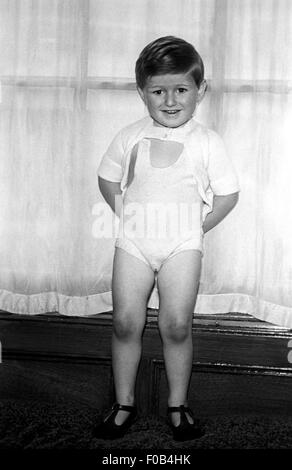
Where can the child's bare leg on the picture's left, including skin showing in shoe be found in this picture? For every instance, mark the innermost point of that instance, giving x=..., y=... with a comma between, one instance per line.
x=132, y=284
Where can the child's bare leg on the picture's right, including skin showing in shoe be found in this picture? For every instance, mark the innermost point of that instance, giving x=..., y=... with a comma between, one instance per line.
x=178, y=282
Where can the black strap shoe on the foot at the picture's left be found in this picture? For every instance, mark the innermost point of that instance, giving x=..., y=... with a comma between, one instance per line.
x=108, y=429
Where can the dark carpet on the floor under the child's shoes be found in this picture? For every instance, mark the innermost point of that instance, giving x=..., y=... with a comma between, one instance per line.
x=34, y=425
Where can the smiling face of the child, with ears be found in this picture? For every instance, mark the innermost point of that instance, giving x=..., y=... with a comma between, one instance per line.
x=171, y=99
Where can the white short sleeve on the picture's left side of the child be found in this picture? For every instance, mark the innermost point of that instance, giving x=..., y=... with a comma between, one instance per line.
x=110, y=167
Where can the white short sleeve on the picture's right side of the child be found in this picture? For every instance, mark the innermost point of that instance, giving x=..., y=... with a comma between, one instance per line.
x=222, y=176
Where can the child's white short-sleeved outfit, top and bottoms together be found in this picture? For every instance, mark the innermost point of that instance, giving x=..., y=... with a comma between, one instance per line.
x=201, y=171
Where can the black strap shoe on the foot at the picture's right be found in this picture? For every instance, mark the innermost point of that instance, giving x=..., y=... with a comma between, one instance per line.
x=185, y=431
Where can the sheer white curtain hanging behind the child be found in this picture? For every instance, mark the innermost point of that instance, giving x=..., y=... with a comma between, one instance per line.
x=67, y=83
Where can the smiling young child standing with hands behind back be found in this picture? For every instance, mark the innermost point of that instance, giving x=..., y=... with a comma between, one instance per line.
x=167, y=168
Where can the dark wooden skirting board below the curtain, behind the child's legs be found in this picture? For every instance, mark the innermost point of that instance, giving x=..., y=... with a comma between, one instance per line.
x=241, y=365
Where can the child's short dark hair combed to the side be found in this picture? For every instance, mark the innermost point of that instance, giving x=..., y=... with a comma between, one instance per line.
x=169, y=55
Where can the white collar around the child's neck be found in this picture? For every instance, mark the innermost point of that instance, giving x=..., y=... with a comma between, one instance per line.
x=178, y=134
